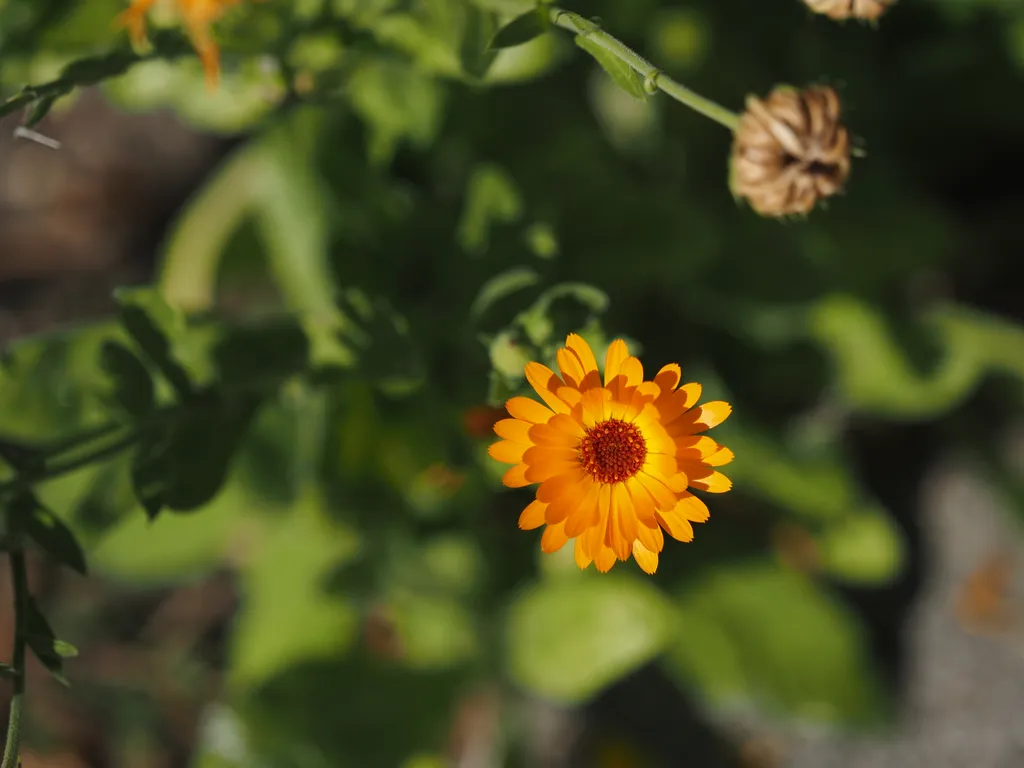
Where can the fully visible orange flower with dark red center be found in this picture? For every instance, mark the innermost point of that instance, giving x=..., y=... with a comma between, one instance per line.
x=615, y=458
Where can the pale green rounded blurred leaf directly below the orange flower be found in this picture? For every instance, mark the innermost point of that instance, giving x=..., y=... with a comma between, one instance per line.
x=570, y=638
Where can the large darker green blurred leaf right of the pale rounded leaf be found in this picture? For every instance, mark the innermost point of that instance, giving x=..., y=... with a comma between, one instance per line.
x=771, y=636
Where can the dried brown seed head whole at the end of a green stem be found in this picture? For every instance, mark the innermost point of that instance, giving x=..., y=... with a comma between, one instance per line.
x=790, y=151
